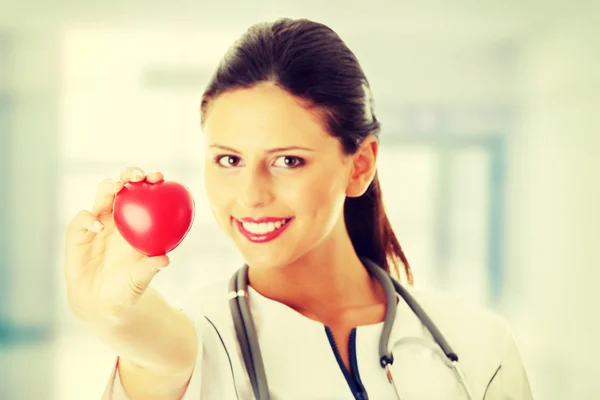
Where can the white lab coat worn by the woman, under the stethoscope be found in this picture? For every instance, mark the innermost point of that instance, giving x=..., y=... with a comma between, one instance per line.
x=300, y=363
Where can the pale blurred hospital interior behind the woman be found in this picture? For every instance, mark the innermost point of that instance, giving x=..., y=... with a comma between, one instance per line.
x=491, y=137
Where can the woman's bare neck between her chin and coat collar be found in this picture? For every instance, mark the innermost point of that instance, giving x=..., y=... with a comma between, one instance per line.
x=329, y=279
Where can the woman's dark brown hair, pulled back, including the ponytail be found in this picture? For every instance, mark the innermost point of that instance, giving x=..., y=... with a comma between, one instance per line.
x=310, y=61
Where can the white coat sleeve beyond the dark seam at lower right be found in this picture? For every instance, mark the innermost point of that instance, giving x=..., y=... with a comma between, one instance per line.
x=510, y=381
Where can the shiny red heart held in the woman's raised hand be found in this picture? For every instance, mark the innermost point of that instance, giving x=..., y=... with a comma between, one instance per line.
x=153, y=217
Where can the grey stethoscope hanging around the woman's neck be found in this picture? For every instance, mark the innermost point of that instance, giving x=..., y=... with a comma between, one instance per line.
x=248, y=340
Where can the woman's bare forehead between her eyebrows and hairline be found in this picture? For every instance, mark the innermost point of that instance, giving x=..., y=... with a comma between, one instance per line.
x=264, y=115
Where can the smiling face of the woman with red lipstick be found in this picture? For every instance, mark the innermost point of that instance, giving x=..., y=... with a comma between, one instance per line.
x=275, y=178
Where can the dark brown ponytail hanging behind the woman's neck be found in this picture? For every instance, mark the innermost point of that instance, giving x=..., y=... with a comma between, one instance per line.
x=371, y=232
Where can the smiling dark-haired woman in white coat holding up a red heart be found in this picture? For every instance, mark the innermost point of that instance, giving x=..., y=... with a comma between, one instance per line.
x=292, y=143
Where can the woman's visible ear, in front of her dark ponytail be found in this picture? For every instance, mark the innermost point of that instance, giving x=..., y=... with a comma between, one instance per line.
x=364, y=166
